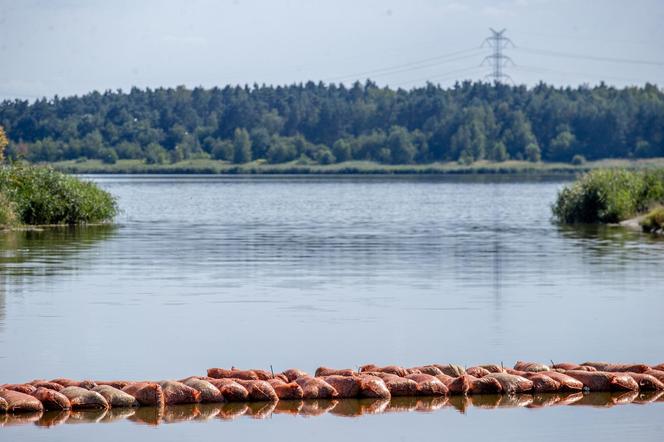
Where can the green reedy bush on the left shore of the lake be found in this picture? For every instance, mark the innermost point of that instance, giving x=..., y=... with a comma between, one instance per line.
x=41, y=195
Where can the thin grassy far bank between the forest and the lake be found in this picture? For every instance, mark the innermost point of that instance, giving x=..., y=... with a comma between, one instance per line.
x=348, y=167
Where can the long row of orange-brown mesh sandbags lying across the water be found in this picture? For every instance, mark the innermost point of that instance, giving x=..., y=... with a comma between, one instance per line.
x=370, y=381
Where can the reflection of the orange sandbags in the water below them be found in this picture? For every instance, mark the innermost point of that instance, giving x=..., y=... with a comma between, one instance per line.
x=346, y=408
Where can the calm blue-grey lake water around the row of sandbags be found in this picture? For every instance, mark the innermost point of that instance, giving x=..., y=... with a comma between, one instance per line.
x=338, y=271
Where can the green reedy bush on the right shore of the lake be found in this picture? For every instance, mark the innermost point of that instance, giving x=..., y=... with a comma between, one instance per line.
x=609, y=196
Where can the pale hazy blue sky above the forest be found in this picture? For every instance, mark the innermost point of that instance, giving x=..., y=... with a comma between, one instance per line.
x=68, y=47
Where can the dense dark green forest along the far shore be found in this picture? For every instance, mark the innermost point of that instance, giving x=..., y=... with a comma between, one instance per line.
x=330, y=123
